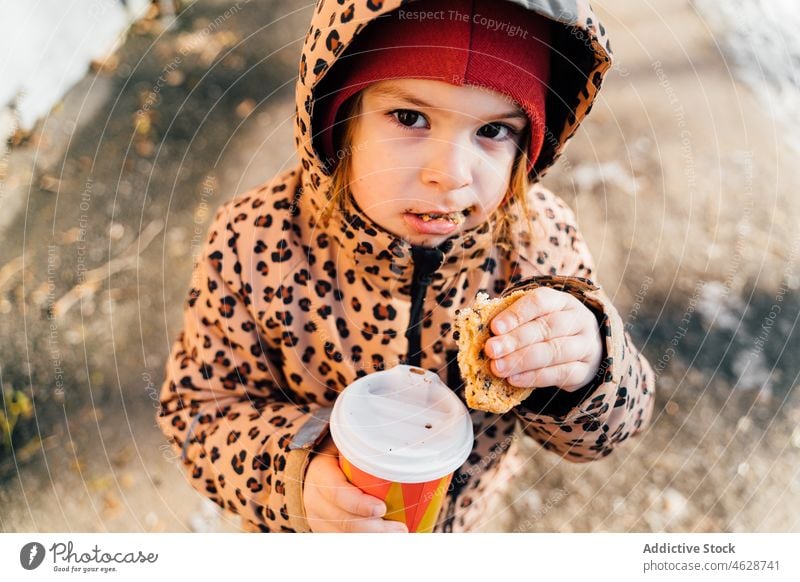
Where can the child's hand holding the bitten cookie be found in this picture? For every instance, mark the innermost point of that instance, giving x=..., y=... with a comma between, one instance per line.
x=546, y=338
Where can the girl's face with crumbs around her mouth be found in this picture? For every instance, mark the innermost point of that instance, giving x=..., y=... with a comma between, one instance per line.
x=428, y=147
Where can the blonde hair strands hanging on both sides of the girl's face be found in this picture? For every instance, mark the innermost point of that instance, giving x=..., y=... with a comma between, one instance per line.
x=504, y=217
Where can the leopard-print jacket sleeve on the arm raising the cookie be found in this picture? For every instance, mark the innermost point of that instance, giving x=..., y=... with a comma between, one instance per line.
x=618, y=403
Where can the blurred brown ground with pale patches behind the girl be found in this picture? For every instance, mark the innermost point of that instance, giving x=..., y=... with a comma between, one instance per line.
x=123, y=125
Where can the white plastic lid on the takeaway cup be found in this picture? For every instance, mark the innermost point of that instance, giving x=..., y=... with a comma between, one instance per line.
x=402, y=424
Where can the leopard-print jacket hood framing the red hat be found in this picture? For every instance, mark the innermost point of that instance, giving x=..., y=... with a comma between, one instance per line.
x=580, y=58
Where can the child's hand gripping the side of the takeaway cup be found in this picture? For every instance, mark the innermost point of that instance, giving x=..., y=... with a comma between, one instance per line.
x=333, y=504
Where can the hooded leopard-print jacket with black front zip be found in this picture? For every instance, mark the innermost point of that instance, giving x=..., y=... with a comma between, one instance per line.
x=285, y=311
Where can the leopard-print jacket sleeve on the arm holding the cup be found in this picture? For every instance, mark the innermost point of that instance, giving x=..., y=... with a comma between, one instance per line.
x=224, y=404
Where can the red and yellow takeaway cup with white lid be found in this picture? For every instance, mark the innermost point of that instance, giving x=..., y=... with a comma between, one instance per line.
x=401, y=433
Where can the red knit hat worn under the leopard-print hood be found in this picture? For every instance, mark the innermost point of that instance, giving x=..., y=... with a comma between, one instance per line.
x=493, y=44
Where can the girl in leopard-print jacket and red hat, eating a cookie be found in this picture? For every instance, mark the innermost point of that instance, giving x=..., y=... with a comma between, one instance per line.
x=422, y=129
